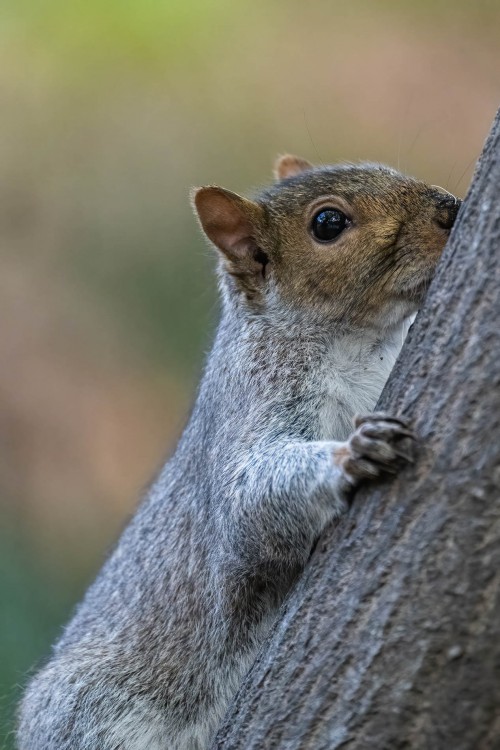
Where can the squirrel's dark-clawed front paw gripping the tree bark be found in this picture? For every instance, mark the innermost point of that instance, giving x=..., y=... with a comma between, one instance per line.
x=375, y=447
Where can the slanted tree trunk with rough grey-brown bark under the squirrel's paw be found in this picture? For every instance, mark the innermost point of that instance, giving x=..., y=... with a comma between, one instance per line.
x=392, y=637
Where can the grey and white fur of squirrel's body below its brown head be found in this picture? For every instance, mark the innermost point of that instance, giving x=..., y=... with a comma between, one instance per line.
x=163, y=637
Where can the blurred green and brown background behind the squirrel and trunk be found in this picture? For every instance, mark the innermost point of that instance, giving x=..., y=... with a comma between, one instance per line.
x=110, y=111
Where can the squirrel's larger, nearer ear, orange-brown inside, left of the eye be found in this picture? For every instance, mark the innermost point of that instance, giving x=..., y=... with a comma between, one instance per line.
x=231, y=223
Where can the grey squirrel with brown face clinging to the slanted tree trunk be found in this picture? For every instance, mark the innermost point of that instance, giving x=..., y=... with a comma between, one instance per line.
x=318, y=276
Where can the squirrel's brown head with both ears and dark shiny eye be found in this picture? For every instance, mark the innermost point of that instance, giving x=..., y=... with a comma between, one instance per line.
x=356, y=244
